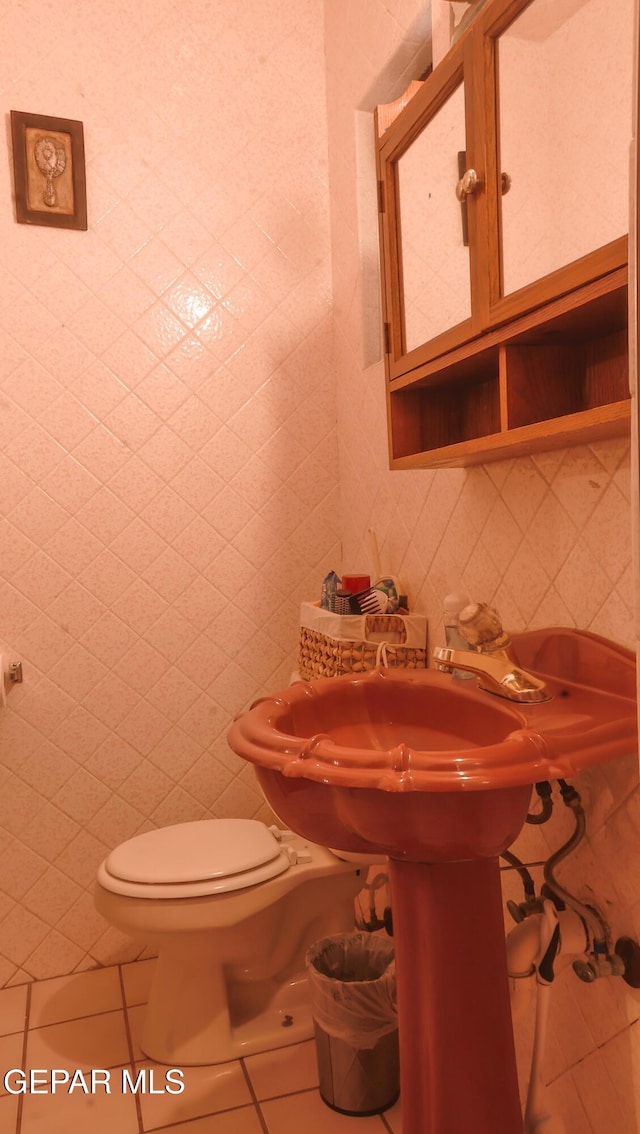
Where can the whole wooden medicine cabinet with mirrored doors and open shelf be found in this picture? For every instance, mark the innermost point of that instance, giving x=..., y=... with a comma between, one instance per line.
x=504, y=210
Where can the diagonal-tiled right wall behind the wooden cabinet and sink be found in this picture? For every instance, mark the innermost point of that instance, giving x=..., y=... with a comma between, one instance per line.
x=546, y=539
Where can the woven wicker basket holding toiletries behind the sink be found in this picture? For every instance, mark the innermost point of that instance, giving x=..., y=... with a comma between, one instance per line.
x=325, y=656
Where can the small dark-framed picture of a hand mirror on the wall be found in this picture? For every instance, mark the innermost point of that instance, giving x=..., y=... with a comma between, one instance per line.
x=49, y=171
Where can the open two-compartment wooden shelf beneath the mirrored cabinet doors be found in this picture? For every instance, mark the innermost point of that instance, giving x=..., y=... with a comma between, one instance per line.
x=557, y=377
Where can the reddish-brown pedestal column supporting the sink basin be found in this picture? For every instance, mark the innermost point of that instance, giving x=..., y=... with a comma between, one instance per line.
x=458, y=1060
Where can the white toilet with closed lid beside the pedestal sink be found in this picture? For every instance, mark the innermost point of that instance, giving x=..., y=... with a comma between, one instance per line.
x=232, y=907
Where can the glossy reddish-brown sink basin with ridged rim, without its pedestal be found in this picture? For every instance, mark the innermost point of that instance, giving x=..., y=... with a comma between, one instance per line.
x=414, y=764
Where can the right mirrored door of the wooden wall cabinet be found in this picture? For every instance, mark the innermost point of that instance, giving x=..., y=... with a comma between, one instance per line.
x=563, y=83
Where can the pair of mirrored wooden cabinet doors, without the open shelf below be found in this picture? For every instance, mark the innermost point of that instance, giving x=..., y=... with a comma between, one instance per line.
x=537, y=97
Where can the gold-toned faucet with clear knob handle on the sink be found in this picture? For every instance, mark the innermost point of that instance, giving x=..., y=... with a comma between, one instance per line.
x=491, y=657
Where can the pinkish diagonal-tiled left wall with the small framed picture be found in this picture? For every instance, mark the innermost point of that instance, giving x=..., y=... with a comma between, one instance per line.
x=167, y=418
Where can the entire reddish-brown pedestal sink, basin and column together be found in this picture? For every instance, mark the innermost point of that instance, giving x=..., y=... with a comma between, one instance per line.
x=437, y=775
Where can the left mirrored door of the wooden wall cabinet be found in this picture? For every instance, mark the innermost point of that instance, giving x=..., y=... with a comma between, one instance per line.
x=430, y=238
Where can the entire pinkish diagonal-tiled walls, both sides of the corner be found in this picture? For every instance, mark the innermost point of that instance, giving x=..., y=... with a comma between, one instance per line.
x=170, y=461
